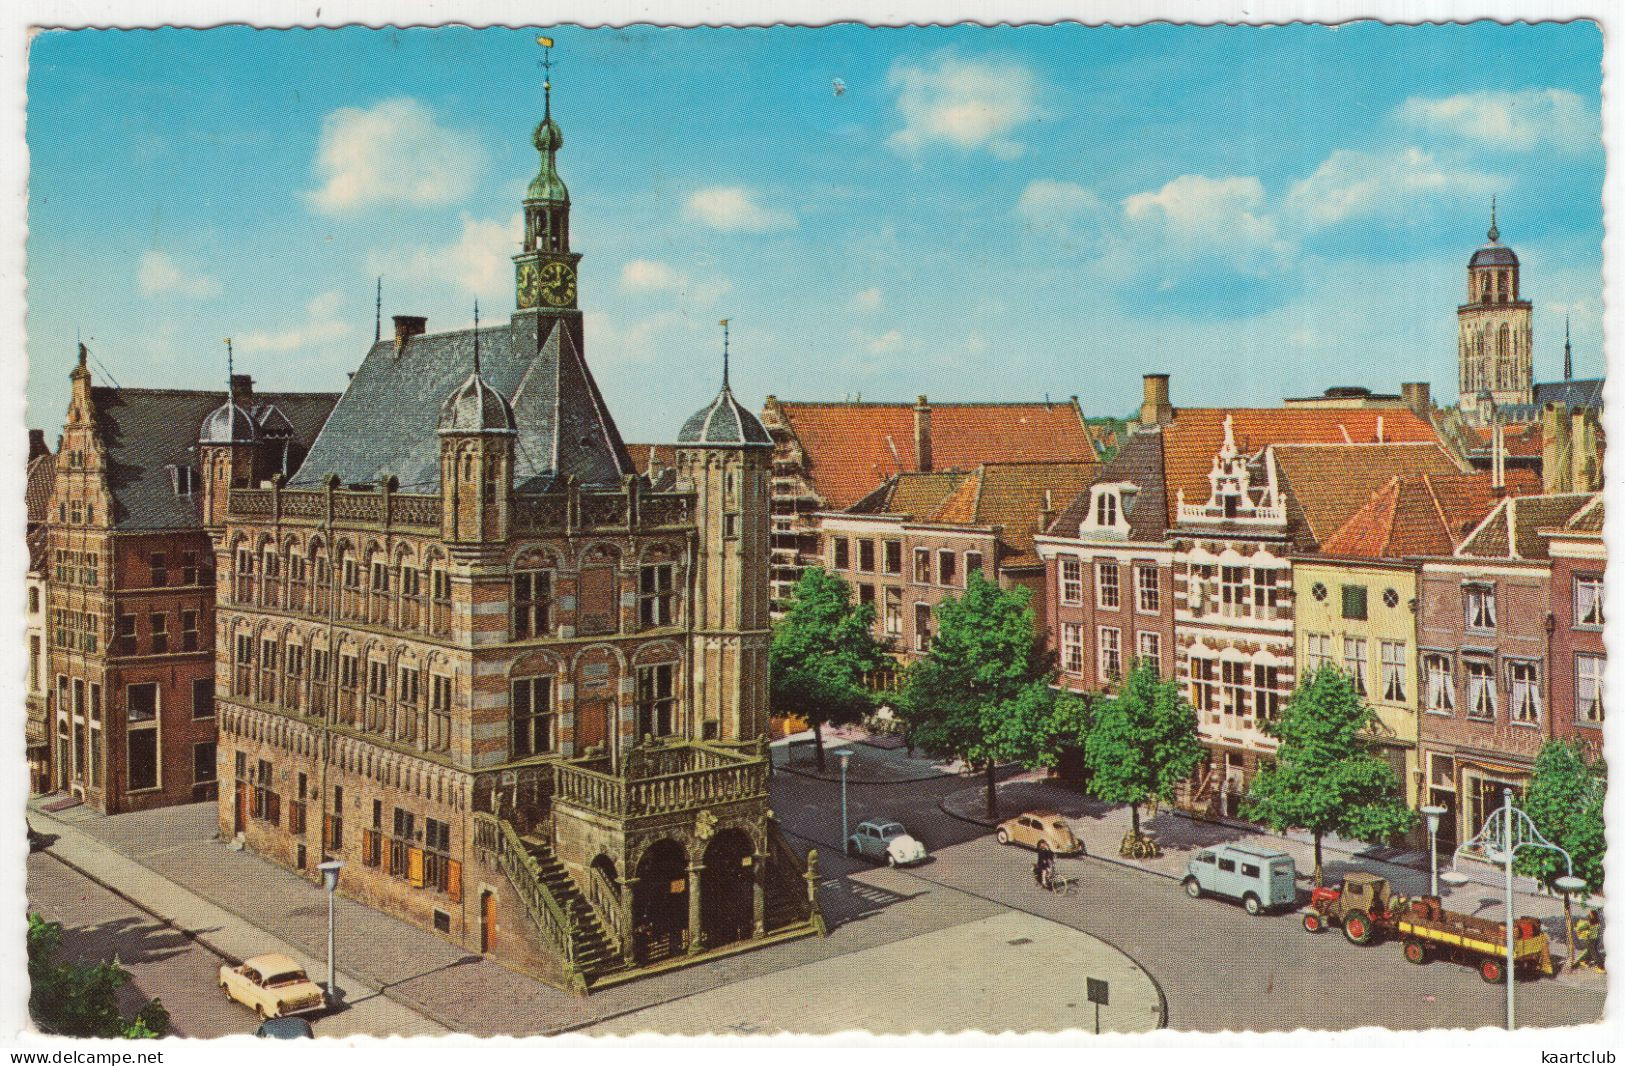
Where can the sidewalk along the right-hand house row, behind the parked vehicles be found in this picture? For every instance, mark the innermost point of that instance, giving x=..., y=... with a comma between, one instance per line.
x=1101, y=826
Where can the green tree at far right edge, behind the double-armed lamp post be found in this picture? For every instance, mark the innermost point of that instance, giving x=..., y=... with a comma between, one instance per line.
x=1566, y=804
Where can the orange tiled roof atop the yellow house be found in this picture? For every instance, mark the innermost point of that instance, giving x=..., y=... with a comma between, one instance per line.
x=1423, y=514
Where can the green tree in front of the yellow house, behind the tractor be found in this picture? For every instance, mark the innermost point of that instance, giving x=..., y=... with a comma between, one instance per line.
x=1327, y=778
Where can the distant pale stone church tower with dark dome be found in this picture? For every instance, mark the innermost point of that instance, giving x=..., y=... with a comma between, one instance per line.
x=1496, y=334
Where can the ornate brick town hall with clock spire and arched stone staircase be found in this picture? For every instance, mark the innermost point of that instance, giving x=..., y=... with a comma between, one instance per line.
x=516, y=687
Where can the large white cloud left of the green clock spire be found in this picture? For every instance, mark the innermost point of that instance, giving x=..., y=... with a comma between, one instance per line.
x=392, y=154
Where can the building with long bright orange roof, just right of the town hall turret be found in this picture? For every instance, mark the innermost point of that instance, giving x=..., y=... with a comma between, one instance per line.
x=830, y=456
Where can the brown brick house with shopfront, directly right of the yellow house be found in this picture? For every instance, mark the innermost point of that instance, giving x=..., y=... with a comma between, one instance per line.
x=1486, y=636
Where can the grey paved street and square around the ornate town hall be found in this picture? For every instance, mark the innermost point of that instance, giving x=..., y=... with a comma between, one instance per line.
x=895, y=937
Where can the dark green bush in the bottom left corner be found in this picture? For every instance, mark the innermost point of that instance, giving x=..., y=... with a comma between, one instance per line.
x=82, y=999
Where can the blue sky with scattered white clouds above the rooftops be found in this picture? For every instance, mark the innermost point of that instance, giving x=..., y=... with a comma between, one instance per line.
x=971, y=214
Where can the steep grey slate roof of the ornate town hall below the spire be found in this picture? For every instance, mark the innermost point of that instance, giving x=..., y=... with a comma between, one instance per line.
x=386, y=422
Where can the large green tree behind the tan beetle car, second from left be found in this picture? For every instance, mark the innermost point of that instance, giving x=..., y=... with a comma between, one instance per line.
x=982, y=695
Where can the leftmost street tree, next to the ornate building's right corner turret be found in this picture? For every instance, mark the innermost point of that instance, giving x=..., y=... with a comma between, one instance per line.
x=821, y=652
